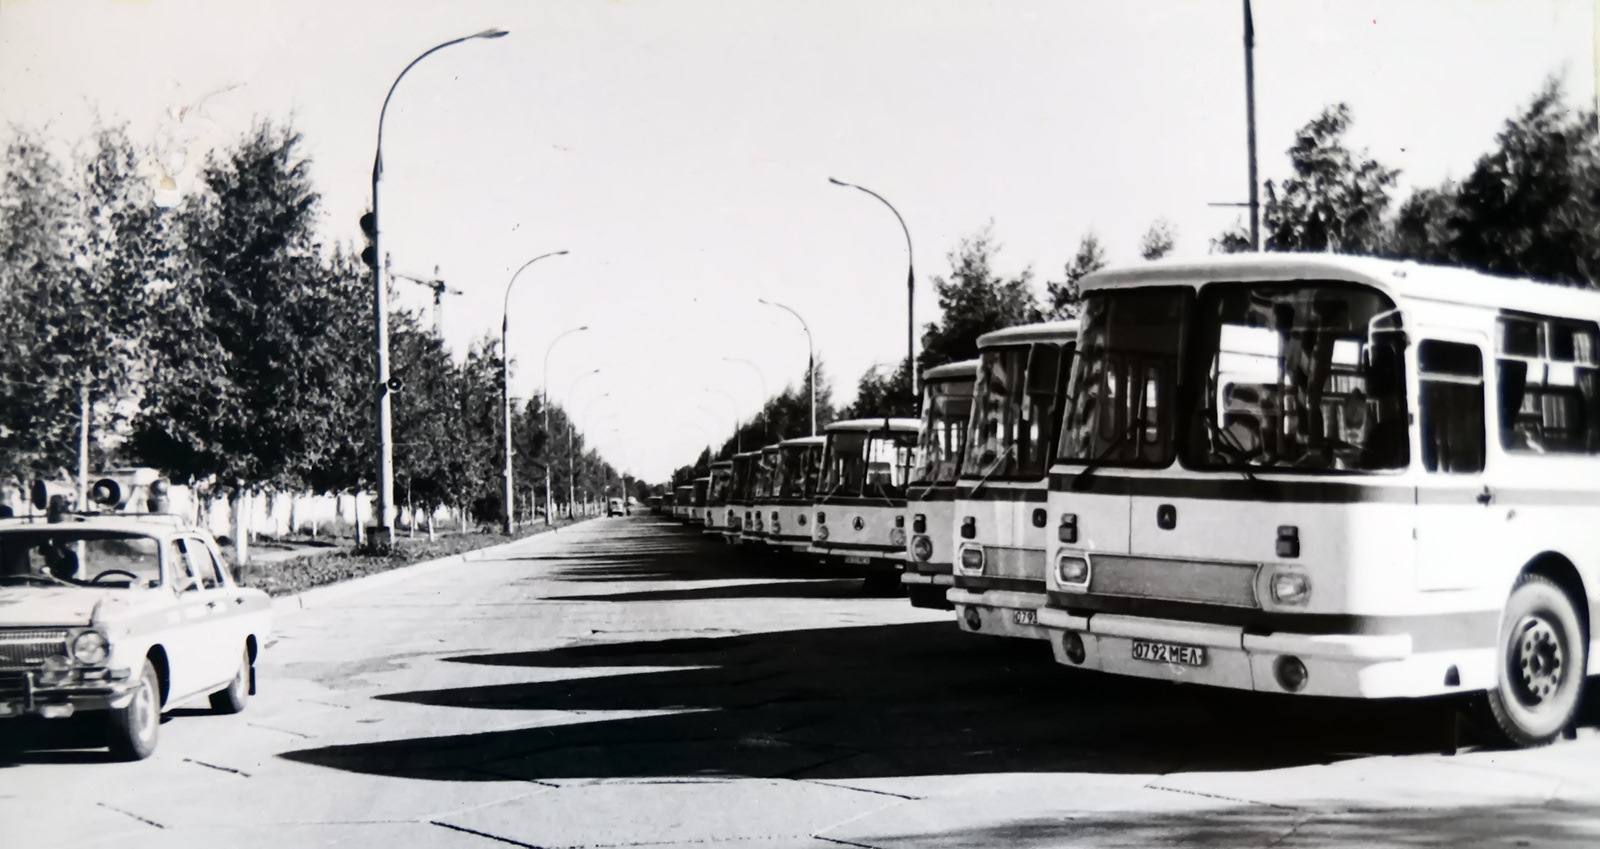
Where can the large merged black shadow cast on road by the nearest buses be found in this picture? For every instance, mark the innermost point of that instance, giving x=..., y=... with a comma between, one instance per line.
x=914, y=700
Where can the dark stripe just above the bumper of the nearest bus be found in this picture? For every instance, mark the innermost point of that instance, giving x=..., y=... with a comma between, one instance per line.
x=1430, y=632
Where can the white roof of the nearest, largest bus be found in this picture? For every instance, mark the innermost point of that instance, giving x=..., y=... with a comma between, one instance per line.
x=1399, y=279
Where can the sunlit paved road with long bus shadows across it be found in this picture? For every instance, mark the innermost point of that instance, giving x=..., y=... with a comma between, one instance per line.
x=630, y=684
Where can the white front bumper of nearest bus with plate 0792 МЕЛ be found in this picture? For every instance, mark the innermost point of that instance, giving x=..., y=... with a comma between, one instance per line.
x=1335, y=664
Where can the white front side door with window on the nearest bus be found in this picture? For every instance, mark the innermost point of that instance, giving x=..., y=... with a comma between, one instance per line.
x=1455, y=506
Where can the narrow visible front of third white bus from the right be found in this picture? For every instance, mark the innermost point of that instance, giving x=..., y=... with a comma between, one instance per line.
x=930, y=500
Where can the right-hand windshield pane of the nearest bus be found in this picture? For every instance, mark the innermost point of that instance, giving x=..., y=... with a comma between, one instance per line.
x=1303, y=377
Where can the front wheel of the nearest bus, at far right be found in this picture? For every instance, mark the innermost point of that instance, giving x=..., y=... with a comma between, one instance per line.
x=1543, y=660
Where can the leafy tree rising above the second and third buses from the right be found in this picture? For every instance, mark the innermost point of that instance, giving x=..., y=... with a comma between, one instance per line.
x=974, y=301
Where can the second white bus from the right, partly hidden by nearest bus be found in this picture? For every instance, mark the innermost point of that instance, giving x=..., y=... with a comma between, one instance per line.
x=999, y=532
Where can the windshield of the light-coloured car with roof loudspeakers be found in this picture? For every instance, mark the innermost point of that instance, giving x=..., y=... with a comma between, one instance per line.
x=79, y=557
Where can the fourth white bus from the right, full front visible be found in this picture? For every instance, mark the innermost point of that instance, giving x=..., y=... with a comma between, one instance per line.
x=862, y=506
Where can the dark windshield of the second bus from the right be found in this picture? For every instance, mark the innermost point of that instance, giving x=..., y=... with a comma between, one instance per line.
x=1012, y=431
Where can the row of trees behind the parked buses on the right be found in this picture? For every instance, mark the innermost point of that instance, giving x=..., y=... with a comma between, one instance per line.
x=1530, y=207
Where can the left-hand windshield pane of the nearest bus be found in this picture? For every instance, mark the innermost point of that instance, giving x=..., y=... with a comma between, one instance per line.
x=1122, y=394
